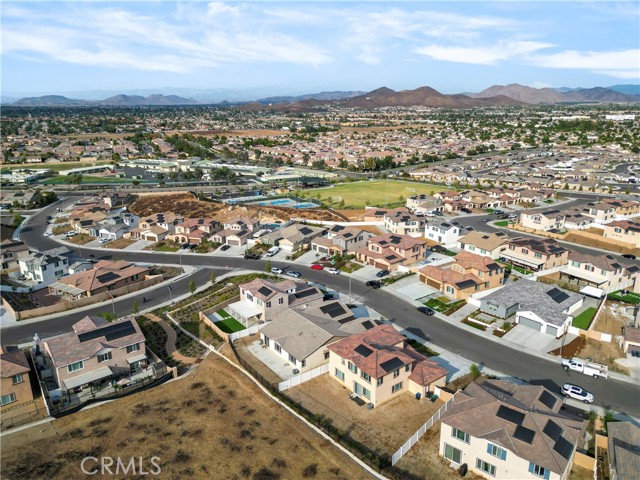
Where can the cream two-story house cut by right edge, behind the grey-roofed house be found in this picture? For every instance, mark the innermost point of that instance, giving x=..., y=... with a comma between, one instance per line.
x=602, y=271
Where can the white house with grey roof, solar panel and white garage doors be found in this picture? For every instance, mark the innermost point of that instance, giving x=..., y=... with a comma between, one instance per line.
x=540, y=306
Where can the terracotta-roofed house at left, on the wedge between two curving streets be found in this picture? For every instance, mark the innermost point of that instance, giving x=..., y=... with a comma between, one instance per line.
x=106, y=275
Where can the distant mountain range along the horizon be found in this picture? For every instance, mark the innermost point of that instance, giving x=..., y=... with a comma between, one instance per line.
x=497, y=95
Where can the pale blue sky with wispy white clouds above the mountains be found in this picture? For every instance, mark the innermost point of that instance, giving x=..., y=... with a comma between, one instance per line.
x=292, y=47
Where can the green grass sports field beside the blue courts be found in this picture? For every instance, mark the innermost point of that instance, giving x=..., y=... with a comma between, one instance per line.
x=377, y=193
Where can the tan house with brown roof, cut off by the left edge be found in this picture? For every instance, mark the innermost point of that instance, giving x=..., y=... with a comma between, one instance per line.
x=15, y=387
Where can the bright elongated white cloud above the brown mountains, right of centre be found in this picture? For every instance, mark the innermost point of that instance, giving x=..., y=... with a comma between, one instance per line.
x=487, y=55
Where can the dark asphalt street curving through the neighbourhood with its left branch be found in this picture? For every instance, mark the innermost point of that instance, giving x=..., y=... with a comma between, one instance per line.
x=614, y=394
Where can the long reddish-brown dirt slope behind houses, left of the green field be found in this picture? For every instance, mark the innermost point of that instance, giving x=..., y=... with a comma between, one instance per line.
x=185, y=204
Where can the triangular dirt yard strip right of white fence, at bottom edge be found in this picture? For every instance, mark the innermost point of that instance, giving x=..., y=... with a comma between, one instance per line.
x=424, y=462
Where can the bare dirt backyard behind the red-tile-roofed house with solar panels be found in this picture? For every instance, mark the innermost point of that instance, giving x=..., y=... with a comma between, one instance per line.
x=383, y=429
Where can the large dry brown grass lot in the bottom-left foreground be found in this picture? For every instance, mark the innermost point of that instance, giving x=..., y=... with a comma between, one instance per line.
x=212, y=424
